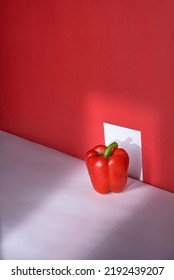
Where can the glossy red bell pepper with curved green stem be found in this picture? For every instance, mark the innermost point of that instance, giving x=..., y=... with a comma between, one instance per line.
x=107, y=168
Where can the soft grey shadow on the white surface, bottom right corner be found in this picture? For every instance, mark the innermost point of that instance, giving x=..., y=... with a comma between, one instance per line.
x=145, y=234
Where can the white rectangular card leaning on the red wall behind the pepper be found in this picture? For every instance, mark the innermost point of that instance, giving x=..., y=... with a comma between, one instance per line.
x=130, y=140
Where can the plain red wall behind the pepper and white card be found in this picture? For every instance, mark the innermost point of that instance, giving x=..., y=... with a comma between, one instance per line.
x=68, y=66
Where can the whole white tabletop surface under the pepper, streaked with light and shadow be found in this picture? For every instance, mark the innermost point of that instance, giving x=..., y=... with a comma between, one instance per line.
x=49, y=210
